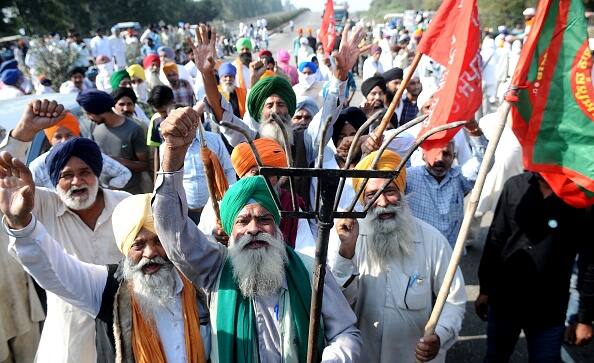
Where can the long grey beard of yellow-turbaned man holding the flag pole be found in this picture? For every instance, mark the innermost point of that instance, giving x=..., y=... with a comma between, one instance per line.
x=391, y=239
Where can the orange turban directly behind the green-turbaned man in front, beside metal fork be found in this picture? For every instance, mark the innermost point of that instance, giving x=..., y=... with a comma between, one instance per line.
x=271, y=153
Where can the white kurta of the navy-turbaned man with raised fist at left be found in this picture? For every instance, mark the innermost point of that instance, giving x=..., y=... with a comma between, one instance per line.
x=69, y=333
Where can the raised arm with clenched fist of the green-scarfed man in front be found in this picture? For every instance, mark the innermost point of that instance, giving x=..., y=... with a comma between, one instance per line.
x=188, y=248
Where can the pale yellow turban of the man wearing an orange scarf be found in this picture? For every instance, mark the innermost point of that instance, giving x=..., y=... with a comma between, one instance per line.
x=129, y=217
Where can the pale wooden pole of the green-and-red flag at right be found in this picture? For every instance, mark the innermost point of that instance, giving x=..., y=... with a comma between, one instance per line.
x=469, y=213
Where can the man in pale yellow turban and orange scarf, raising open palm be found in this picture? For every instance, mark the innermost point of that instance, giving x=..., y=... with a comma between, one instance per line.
x=144, y=310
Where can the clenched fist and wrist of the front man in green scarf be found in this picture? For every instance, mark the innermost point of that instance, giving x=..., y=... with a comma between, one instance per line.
x=178, y=130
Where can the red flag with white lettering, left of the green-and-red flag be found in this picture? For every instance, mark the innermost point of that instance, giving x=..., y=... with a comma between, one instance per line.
x=453, y=40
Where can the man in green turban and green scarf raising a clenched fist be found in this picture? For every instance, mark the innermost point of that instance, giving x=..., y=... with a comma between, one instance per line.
x=259, y=288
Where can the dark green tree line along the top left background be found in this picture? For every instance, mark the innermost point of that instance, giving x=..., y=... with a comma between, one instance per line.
x=47, y=16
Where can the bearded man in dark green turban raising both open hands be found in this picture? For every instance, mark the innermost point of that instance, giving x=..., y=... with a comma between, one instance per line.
x=275, y=96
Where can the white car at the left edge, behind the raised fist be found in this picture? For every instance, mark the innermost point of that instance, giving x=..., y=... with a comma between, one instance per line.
x=13, y=109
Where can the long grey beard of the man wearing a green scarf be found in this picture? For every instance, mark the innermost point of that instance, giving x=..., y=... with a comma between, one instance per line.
x=261, y=271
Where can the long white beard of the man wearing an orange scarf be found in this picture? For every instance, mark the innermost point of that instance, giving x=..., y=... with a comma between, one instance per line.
x=153, y=292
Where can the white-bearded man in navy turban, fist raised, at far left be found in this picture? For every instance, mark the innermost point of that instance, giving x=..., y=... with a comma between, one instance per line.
x=78, y=215
